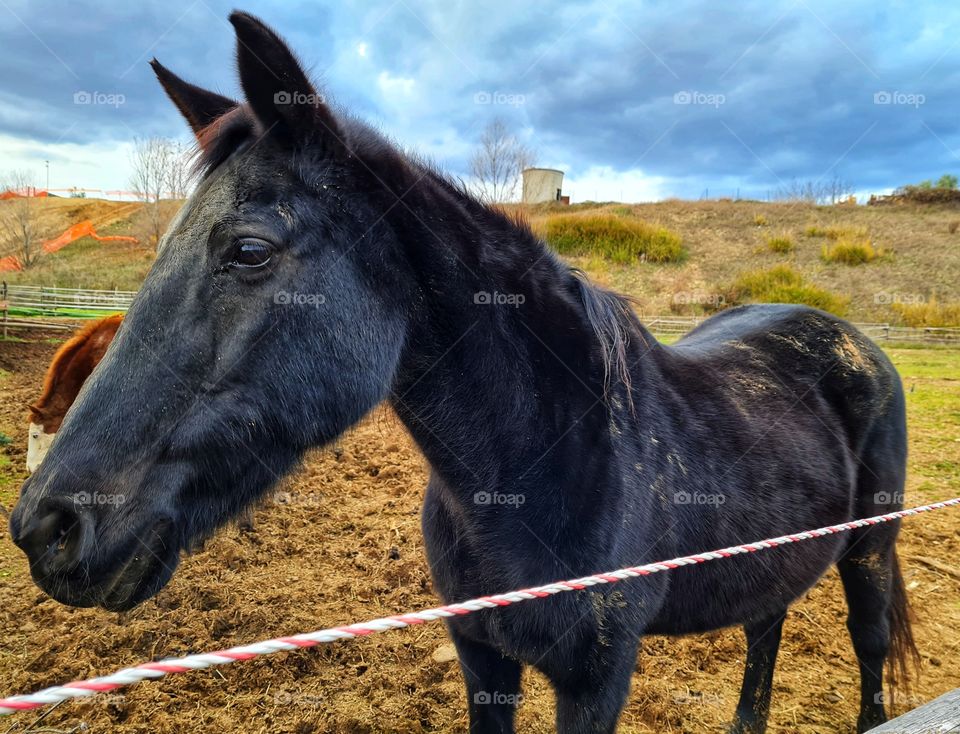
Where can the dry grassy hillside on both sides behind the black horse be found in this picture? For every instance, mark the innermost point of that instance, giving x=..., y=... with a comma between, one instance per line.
x=919, y=257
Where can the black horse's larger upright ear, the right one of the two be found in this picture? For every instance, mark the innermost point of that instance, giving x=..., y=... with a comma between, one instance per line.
x=277, y=88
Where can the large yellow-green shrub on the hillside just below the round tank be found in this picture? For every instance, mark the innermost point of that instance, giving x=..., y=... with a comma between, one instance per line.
x=616, y=238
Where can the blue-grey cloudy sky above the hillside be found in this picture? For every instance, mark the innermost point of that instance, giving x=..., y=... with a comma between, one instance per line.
x=634, y=100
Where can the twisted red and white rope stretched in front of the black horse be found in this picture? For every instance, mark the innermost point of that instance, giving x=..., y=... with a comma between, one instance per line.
x=152, y=671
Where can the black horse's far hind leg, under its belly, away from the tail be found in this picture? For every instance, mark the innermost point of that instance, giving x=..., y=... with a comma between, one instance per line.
x=763, y=643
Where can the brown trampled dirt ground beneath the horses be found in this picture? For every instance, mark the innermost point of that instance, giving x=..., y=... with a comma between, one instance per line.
x=341, y=543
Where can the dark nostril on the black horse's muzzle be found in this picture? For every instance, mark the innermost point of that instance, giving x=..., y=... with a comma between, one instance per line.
x=55, y=541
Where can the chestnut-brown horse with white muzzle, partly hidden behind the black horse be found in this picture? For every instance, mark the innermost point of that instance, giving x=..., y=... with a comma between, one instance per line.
x=71, y=366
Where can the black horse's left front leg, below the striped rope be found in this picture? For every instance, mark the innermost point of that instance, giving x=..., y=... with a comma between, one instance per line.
x=493, y=685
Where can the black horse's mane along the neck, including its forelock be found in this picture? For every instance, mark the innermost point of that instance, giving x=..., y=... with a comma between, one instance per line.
x=609, y=315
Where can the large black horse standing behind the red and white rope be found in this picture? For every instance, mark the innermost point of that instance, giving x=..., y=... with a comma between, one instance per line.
x=317, y=271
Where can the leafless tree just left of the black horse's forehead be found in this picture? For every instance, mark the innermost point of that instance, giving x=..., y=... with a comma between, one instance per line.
x=159, y=172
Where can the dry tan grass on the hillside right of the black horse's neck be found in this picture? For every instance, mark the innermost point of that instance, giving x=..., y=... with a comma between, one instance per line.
x=722, y=241
